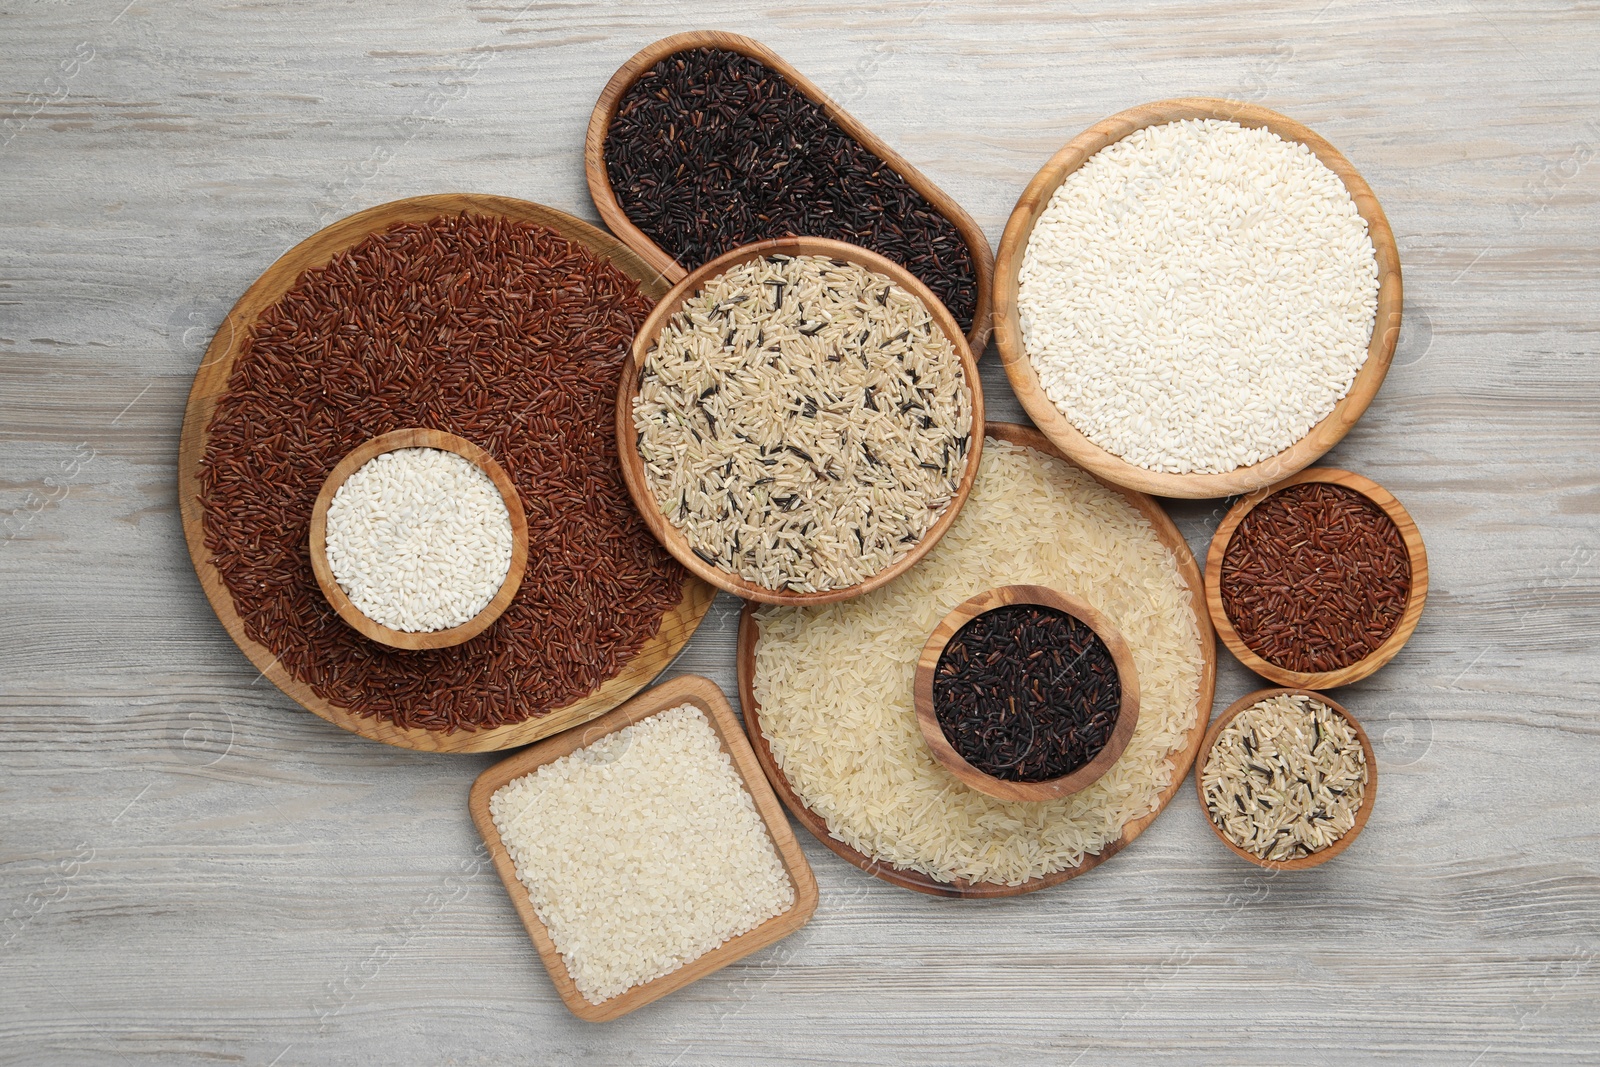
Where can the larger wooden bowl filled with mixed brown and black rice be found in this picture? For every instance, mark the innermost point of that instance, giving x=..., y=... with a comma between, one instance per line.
x=806, y=422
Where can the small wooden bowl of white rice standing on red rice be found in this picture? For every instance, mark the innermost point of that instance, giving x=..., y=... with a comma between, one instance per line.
x=418, y=540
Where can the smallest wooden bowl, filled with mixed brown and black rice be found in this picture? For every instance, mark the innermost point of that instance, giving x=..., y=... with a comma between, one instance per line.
x=1287, y=778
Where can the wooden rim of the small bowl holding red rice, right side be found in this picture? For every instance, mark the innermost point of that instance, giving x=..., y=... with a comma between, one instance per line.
x=1362, y=668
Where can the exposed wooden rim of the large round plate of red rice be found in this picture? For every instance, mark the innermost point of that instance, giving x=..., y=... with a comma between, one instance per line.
x=212, y=382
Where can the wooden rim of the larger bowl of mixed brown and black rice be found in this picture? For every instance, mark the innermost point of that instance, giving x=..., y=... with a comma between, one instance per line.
x=634, y=465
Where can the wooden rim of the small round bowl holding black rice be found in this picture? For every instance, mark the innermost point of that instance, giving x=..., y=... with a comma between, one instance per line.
x=1025, y=594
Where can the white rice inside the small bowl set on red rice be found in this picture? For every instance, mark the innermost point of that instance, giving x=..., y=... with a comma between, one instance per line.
x=420, y=540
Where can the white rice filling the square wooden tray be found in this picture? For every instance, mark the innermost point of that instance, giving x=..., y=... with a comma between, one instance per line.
x=642, y=852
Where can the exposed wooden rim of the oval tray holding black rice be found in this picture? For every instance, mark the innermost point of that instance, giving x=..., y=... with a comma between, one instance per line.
x=649, y=57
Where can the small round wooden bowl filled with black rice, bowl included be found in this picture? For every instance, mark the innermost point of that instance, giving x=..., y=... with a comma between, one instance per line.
x=1026, y=693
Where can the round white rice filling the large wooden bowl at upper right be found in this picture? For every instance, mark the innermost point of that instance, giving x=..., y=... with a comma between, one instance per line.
x=1199, y=295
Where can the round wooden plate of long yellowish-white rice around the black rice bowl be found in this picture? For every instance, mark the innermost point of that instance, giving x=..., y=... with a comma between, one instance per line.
x=828, y=690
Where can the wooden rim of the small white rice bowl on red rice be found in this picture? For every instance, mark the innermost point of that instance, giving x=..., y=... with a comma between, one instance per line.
x=418, y=438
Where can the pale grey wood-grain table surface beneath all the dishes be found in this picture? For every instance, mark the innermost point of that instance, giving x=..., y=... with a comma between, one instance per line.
x=193, y=869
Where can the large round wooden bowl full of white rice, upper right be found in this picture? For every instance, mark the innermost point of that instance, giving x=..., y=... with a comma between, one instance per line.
x=1198, y=298
